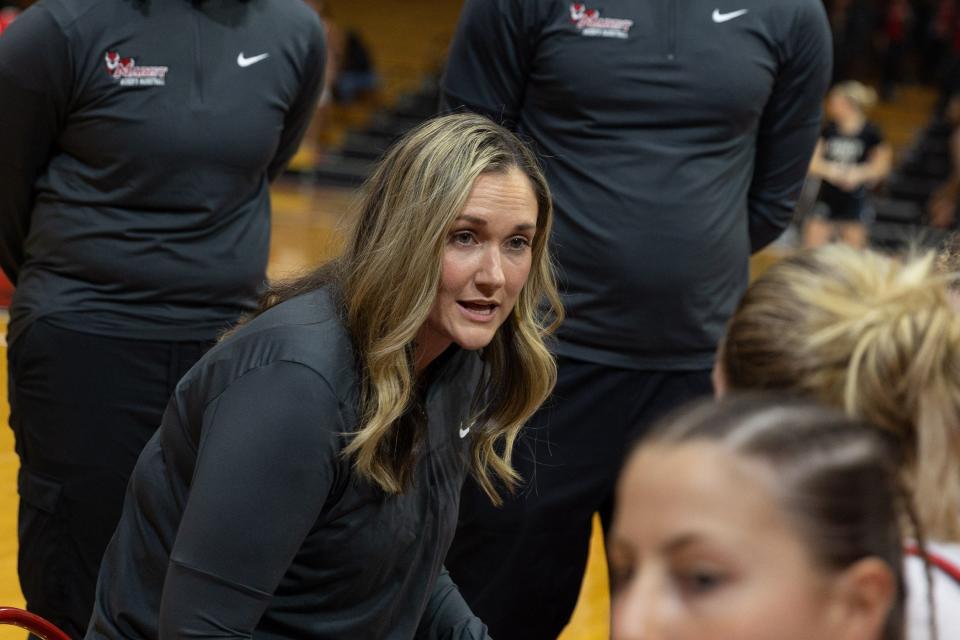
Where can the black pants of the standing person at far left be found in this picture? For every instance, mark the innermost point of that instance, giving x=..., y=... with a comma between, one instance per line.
x=82, y=407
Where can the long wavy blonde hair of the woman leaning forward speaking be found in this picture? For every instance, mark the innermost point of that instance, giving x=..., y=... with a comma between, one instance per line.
x=387, y=279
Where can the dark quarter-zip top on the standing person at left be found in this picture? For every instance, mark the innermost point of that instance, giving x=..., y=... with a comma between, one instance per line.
x=139, y=137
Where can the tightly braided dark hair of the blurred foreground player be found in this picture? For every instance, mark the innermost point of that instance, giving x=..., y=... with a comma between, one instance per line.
x=838, y=478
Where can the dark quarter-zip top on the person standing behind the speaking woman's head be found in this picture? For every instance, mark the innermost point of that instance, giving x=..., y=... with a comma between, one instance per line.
x=675, y=136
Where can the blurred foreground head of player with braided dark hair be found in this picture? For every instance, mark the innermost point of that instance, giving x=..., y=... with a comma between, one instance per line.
x=759, y=518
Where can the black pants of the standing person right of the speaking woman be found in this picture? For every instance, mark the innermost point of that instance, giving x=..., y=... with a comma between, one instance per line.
x=520, y=566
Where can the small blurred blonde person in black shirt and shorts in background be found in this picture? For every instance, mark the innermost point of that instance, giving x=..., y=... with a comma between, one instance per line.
x=851, y=156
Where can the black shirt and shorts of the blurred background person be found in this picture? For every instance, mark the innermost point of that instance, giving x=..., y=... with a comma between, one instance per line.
x=847, y=150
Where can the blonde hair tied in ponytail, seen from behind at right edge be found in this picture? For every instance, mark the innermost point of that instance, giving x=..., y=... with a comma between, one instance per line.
x=871, y=334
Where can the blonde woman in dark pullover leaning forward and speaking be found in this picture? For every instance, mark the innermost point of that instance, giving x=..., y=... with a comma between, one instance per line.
x=305, y=480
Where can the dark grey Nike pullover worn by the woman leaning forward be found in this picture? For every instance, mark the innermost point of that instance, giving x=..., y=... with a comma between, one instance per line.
x=243, y=518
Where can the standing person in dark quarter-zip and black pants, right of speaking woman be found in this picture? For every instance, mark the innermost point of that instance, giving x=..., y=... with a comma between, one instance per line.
x=675, y=136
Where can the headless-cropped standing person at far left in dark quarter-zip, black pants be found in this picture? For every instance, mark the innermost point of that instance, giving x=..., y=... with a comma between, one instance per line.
x=138, y=146
